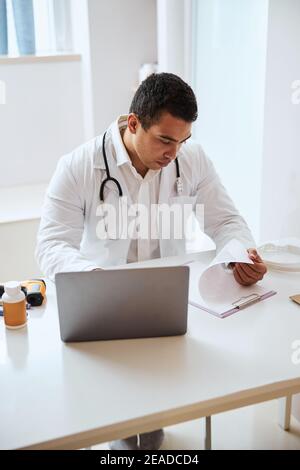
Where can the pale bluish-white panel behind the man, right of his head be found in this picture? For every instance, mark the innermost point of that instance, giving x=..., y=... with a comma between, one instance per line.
x=229, y=78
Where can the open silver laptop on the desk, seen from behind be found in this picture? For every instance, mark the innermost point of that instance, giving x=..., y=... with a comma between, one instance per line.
x=122, y=303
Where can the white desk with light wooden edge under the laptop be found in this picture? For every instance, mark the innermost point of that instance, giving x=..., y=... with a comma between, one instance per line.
x=71, y=396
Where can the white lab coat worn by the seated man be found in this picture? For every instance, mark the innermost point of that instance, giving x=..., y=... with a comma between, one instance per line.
x=67, y=239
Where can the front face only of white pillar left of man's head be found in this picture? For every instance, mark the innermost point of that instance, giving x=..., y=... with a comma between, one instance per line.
x=122, y=38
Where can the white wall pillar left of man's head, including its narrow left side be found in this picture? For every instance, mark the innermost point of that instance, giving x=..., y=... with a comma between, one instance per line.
x=114, y=38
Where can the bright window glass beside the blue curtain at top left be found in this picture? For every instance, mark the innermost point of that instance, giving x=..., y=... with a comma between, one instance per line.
x=52, y=27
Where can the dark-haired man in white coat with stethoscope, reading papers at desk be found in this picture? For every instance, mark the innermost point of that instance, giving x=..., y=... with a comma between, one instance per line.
x=150, y=161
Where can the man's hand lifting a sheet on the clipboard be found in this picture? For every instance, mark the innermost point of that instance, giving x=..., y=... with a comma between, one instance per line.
x=248, y=274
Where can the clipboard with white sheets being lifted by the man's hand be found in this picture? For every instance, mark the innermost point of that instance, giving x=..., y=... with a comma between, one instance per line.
x=214, y=289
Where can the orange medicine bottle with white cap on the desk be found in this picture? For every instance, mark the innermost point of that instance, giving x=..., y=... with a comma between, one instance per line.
x=14, y=306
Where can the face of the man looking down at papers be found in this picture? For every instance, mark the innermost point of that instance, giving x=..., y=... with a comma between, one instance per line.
x=159, y=145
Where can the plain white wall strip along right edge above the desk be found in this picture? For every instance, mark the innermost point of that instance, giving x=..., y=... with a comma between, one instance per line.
x=280, y=206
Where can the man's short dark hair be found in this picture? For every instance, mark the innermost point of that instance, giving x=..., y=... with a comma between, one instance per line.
x=164, y=92
